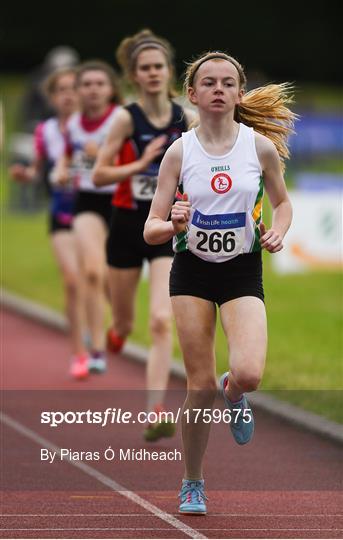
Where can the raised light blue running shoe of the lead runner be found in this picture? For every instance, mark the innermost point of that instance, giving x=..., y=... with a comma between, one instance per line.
x=241, y=429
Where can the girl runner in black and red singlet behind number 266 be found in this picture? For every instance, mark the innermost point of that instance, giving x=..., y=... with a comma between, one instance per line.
x=146, y=128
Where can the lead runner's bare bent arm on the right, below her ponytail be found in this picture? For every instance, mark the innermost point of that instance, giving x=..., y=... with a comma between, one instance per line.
x=276, y=188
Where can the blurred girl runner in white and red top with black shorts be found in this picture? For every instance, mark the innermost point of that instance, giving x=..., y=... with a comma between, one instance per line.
x=99, y=96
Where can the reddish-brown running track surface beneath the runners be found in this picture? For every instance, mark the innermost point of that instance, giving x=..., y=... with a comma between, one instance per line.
x=285, y=484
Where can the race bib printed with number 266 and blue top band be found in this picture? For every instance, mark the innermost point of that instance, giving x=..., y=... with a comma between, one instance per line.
x=218, y=237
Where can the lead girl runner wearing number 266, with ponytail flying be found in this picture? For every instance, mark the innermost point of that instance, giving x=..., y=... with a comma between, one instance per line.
x=221, y=169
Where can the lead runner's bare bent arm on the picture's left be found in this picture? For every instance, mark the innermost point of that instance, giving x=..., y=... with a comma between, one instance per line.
x=157, y=229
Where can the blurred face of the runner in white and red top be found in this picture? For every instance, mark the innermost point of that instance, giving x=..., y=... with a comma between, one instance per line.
x=94, y=89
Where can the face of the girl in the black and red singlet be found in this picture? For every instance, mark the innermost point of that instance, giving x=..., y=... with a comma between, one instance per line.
x=152, y=73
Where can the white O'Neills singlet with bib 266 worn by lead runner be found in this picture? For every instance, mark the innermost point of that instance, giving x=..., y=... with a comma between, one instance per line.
x=226, y=194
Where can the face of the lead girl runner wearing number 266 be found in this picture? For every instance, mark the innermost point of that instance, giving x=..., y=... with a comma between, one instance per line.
x=216, y=87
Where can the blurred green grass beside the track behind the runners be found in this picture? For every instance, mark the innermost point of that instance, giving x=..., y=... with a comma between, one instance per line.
x=304, y=363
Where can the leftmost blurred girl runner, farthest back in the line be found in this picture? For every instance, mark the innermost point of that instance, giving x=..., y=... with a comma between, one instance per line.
x=49, y=146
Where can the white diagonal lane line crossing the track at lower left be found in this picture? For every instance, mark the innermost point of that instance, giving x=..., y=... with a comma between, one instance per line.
x=103, y=479
